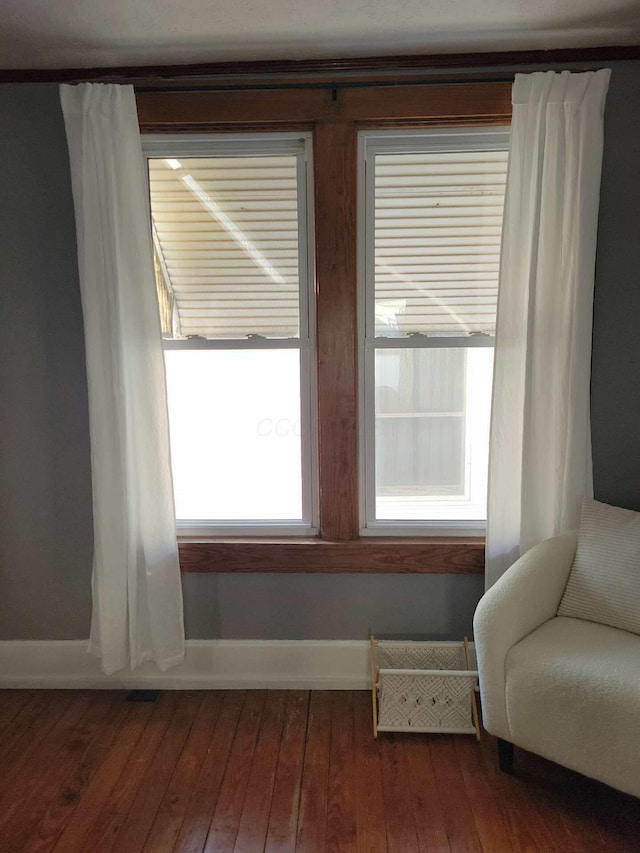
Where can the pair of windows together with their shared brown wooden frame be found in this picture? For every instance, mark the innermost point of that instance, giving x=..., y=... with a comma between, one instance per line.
x=328, y=318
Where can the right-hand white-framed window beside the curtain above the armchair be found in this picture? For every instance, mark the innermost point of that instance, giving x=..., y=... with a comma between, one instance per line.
x=430, y=229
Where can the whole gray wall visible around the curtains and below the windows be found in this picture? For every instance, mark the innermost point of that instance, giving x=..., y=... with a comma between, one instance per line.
x=45, y=486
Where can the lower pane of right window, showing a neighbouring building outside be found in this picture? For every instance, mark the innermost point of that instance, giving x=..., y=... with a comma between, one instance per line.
x=432, y=409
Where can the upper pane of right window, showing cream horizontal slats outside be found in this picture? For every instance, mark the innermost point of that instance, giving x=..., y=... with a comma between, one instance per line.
x=438, y=220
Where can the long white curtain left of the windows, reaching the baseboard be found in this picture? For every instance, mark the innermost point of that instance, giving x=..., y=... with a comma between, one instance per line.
x=137, y=598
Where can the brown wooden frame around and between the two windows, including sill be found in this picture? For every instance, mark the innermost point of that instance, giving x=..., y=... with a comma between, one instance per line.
x=334, y=115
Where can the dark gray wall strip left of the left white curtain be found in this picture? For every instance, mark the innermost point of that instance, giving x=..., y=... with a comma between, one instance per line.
x=45, y=485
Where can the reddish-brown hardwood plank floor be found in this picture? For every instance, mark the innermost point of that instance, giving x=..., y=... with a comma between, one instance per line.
x=89, y=772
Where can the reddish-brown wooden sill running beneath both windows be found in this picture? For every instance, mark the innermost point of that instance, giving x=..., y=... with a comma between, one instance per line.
x=380, y=555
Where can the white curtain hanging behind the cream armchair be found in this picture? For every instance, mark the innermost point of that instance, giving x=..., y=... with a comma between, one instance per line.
x=540, y=448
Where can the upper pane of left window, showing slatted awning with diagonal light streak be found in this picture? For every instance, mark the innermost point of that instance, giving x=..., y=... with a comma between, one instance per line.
x=226, y=240
